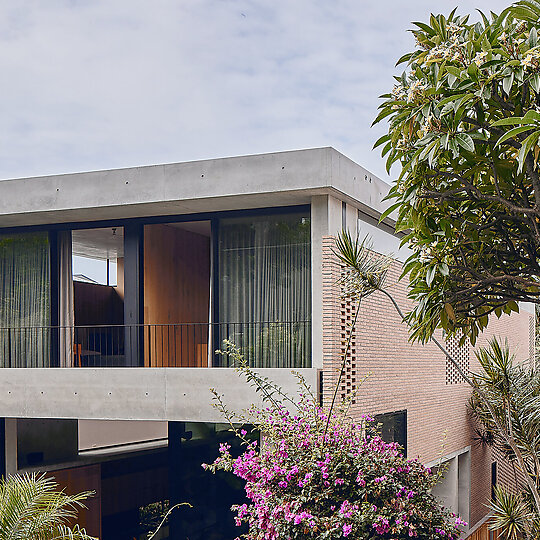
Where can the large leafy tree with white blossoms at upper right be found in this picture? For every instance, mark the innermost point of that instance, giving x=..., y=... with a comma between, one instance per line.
x=464, y=124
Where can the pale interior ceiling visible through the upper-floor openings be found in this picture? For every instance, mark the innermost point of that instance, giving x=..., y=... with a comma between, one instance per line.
x=108, y=243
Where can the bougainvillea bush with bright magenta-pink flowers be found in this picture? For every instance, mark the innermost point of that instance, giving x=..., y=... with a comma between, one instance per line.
x=325, y=478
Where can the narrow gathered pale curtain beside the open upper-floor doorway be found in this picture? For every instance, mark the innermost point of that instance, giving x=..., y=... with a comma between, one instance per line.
x=66, y=311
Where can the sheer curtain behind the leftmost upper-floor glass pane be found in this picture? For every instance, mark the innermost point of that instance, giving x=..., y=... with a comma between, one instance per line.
x=24, y=300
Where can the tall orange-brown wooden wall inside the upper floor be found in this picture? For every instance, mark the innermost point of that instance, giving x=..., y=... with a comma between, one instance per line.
x=176, y=290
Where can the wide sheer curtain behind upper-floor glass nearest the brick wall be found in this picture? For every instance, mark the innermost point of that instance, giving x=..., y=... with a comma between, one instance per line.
x=265, y=288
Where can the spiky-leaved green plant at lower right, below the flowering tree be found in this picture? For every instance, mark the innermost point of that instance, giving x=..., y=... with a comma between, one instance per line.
x=513, y=391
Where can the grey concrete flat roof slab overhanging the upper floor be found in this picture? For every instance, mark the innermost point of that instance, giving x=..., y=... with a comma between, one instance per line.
x=257, y=181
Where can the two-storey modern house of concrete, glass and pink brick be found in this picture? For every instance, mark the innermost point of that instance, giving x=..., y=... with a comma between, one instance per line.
x=105, y=381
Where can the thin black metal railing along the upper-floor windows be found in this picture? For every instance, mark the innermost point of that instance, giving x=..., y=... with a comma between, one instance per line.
x=262, y=344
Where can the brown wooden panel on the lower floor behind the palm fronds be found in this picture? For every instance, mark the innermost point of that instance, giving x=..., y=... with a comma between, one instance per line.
x=76, y=480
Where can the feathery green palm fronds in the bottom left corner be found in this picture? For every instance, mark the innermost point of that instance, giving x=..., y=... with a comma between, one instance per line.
x=32, y=507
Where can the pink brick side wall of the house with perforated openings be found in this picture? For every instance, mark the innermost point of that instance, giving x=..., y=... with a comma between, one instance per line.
x=406, y=376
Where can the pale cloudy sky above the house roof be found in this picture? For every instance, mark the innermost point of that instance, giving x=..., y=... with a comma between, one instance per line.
x=93, y=84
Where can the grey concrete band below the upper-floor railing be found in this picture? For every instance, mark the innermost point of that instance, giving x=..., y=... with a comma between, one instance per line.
x=181, y=394
